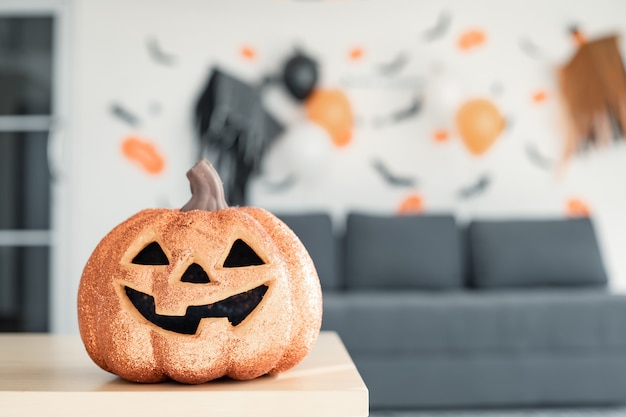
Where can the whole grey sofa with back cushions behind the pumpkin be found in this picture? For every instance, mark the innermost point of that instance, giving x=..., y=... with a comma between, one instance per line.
x=488, y=314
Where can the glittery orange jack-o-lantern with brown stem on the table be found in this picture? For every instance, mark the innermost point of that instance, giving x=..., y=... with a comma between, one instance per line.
x=199, y=293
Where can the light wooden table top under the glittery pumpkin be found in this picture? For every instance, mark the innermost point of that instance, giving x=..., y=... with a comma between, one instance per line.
x=51, y=375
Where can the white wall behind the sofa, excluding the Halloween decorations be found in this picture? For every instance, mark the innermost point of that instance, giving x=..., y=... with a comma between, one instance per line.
x=112, y=65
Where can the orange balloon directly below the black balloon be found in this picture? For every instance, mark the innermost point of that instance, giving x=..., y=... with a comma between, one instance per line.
x=331, y=110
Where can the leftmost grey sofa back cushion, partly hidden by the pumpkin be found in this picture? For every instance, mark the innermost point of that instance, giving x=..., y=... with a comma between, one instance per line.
x=316, y=233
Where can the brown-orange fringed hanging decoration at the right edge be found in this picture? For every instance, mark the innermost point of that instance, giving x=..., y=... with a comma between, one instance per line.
x=593, y=87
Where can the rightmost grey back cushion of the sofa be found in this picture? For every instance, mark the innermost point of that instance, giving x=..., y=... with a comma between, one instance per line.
x=535, y=253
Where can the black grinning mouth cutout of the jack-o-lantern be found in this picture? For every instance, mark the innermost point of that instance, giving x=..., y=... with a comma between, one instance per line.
x=235, y=308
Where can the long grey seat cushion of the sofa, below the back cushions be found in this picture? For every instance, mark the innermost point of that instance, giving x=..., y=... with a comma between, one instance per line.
x=520, y=321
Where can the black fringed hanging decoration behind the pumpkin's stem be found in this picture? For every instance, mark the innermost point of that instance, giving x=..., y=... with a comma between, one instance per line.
x=234, y=127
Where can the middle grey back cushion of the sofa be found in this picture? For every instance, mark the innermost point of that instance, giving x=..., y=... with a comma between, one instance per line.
x=402, y=252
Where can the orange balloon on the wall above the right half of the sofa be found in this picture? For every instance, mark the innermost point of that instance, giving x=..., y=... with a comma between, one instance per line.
x=479, y=123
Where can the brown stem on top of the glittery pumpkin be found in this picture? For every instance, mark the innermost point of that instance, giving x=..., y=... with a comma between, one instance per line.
x=207, y=190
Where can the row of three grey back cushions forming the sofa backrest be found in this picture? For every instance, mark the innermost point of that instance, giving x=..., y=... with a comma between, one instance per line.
x=433, y=252
